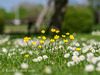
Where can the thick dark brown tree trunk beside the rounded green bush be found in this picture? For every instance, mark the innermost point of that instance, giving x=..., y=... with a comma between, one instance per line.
x=58, y=15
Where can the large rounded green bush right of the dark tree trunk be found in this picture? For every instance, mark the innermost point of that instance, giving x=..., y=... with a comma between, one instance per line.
x=78, y=20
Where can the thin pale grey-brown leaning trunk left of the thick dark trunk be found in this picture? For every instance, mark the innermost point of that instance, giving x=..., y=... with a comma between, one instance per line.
x=40, y=18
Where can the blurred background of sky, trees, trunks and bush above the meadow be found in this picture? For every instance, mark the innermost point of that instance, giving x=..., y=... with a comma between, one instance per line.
x=31, y=16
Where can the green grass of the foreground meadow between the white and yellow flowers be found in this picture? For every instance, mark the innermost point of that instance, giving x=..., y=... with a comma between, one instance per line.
x=60, y=63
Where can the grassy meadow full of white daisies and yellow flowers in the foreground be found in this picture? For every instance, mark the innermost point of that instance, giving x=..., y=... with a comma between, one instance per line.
x=66, y=54
